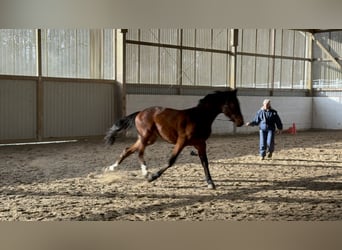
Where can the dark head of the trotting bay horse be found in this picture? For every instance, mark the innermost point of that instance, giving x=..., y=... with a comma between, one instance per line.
x=231, y=107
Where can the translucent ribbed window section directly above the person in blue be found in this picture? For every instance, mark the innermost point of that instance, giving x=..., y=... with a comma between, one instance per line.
x=271, y=59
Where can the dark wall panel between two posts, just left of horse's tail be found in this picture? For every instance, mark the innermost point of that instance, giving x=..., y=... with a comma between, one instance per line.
x=77, y=109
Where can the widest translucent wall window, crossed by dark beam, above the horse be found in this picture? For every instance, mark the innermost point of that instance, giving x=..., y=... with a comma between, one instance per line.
x=192, y=57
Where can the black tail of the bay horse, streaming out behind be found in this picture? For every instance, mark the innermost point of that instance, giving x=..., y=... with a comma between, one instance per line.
x=120, y=126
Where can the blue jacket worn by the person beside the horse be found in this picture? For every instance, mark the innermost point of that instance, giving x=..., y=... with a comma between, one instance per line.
x=267, y=120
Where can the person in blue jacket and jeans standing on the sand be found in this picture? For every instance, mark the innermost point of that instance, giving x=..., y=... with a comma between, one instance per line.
x=267, y=119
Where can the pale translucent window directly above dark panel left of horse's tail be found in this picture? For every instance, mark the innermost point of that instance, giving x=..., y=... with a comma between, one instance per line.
x=78, y=53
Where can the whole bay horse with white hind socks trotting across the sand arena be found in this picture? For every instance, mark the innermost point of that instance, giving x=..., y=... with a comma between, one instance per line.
x=187, y=127
